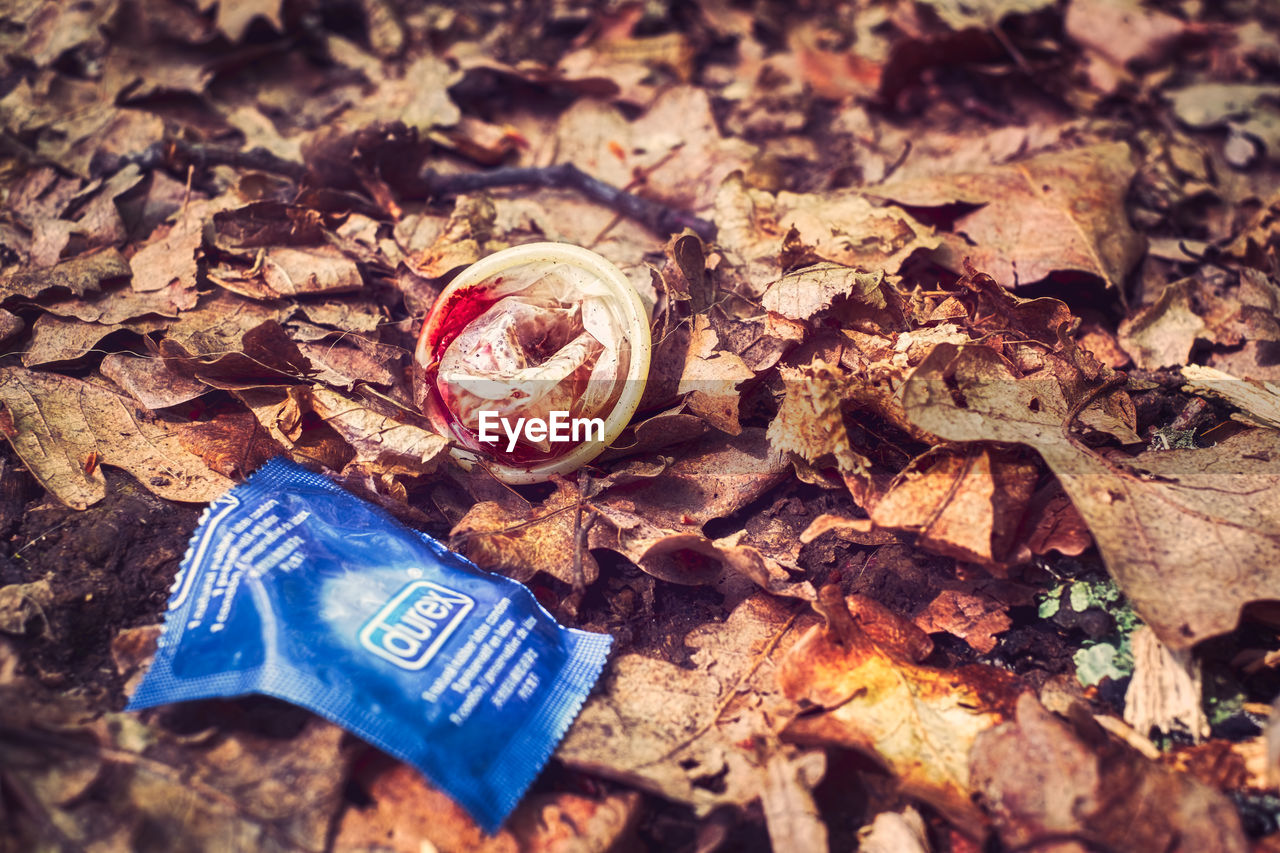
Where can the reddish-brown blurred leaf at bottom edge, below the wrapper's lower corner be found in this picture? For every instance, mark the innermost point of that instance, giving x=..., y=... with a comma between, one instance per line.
x=409, y=814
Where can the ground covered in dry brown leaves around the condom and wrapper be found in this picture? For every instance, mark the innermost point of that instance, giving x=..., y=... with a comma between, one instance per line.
x=948, y=522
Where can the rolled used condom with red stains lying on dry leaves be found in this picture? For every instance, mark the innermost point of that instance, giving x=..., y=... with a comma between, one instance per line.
x=536, y=359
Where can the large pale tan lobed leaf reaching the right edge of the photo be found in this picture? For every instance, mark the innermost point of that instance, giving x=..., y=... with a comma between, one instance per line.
x=1155, y=518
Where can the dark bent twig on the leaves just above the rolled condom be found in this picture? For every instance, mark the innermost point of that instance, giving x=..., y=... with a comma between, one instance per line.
x=652, y=215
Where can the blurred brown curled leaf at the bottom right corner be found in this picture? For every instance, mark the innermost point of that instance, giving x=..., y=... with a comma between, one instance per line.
x=1045, y=783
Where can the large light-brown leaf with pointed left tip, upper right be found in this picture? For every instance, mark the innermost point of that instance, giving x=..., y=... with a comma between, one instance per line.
x=1063, y=211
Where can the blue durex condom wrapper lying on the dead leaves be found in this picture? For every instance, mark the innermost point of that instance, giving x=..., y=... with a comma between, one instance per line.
x=295, y=589
